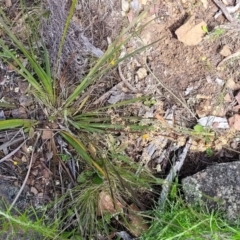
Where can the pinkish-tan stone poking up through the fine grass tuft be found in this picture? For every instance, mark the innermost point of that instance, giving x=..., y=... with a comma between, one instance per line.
x=105, y=204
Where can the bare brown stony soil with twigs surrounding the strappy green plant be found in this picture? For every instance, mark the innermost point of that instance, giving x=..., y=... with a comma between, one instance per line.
x=190, y=73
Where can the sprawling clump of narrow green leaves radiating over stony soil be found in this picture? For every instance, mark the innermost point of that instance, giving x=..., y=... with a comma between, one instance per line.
x=74, y=120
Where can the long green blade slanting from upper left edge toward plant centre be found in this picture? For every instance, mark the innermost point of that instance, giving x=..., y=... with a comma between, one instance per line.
x=42, y=75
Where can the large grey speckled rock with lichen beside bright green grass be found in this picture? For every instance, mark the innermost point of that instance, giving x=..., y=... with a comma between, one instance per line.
x=217, y=187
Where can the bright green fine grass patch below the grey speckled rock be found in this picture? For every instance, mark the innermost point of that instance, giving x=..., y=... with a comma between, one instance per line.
x=181, y=221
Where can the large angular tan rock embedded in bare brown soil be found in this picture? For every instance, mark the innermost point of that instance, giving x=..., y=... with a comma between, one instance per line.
x=191, y=32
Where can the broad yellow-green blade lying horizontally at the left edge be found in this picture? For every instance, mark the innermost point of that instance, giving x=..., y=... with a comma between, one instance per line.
x=15, y=123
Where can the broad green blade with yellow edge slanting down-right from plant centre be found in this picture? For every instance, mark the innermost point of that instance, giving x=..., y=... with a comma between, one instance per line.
x=79, y=147
